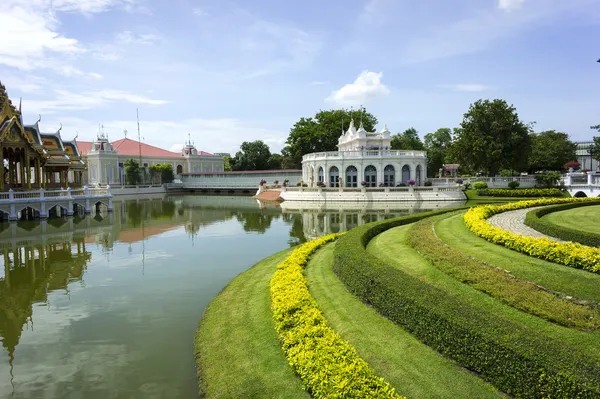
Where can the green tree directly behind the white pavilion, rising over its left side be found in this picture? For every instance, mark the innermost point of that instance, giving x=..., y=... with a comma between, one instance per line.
x=321, y=133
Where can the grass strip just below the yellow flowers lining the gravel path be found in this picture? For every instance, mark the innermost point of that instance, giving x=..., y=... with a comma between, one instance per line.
x=571, y=282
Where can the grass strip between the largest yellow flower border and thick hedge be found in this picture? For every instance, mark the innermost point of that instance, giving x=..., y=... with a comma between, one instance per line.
x=414, y=369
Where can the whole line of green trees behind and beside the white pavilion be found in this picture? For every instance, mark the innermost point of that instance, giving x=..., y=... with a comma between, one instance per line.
x=491, y=139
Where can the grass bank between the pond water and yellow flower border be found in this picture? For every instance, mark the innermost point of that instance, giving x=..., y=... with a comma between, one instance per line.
x=237, y=351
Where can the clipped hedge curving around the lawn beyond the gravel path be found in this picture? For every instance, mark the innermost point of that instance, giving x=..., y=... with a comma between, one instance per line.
x=535, y=220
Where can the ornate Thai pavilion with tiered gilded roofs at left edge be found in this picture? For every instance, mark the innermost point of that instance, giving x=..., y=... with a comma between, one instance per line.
x=34, y=159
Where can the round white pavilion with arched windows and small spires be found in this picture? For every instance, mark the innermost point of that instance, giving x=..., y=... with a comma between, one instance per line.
x=364, y=157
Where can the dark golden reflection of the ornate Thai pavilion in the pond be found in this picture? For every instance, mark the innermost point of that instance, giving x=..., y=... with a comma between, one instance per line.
x=30, y=273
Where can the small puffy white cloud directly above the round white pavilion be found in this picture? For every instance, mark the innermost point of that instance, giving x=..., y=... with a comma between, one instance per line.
x=366, y=87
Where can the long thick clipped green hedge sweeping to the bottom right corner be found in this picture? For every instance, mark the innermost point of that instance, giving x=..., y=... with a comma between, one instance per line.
x=515, y=358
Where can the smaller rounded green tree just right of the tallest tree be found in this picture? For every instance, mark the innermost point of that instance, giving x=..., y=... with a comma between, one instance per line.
x=550, y=150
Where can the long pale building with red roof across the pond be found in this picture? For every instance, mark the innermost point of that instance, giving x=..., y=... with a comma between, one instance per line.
x=105, y=160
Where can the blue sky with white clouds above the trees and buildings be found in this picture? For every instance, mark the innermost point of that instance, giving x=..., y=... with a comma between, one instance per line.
x=225, y=71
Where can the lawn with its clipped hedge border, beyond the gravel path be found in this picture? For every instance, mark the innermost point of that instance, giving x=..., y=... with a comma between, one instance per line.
x=577, y=222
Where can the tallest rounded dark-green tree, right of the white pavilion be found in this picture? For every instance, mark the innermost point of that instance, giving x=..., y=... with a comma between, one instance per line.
x=491, y=137
